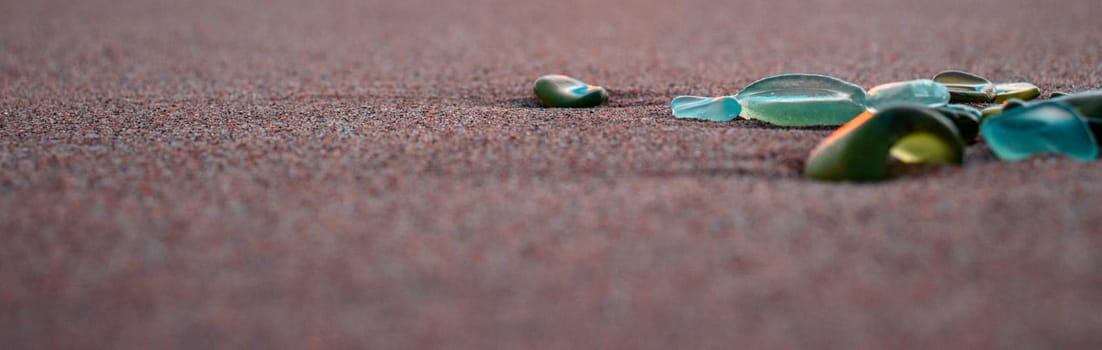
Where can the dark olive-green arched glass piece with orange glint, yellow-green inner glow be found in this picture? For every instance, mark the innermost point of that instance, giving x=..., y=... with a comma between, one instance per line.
x=860, y=151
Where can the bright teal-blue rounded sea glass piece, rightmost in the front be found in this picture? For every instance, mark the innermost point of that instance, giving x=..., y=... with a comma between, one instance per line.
x=1040, y=128
